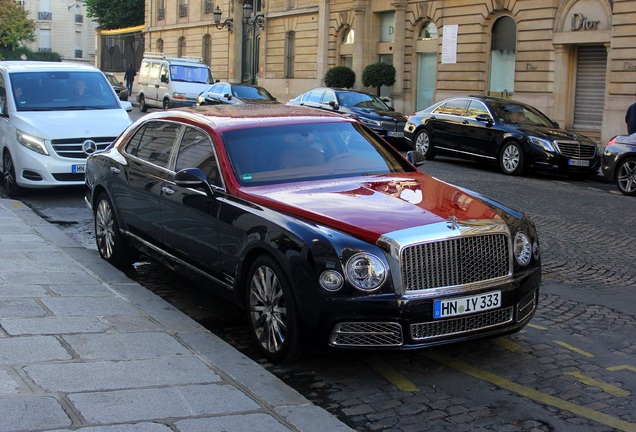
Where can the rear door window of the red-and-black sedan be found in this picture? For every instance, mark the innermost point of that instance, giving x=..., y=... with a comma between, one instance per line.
x=154, y=143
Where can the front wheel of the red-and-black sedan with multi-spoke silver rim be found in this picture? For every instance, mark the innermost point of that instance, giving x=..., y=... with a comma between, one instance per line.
x=271, y=311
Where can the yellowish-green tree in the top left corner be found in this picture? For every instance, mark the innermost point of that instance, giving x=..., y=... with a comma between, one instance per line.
x=15, y=26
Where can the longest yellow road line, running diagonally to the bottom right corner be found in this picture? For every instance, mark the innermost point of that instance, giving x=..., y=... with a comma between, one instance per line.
x=533, y=394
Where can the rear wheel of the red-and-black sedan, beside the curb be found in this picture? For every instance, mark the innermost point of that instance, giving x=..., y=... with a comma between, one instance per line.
x=110, y=243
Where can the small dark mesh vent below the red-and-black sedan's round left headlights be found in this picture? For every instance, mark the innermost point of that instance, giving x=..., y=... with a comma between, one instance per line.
x=367, y=334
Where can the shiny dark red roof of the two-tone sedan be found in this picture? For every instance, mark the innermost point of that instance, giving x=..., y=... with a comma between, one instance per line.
x=227, y=117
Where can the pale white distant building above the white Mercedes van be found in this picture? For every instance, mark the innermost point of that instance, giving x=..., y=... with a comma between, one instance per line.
x=62, y=27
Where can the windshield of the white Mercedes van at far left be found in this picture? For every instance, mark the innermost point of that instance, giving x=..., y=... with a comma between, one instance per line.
x=60, y=91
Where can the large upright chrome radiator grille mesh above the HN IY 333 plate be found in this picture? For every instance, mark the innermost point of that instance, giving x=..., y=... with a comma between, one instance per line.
x=456, y=261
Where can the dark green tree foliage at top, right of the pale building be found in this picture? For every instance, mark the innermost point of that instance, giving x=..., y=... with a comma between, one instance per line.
x=114, y=14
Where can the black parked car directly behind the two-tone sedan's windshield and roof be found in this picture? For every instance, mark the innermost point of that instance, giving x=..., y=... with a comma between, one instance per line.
x=365, y=107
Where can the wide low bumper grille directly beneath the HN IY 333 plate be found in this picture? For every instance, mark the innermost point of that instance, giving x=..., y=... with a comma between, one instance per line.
x=461, y=325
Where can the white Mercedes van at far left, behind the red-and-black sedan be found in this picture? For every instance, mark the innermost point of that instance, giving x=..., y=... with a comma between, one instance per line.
x=52, y=116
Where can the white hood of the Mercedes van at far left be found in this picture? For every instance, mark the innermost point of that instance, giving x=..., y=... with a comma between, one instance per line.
x=71, y=124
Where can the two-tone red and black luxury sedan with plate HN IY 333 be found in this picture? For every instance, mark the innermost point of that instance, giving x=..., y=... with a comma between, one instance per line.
x=322, y=231
